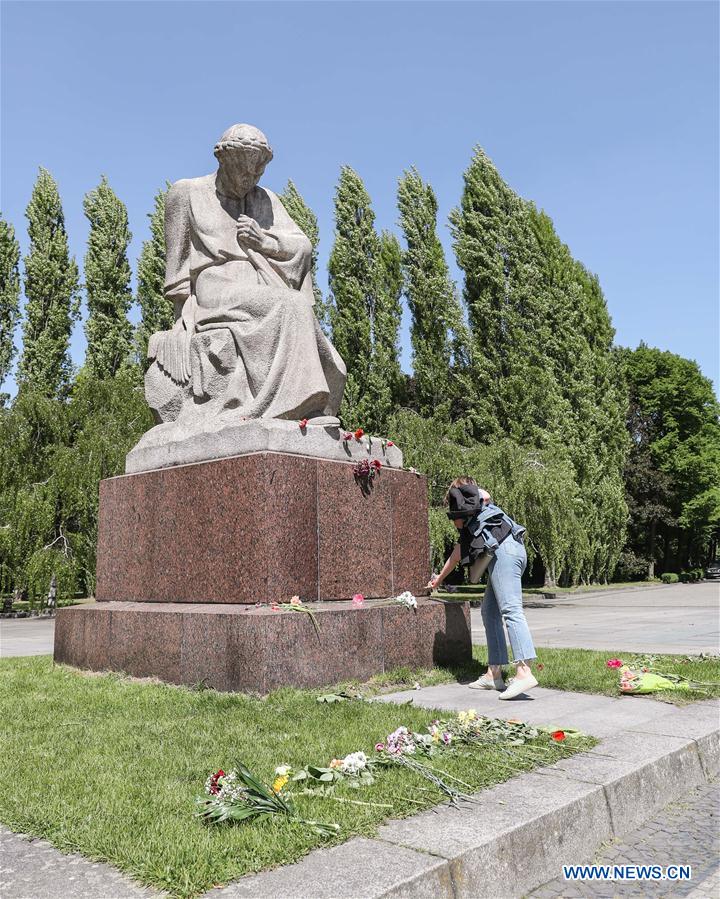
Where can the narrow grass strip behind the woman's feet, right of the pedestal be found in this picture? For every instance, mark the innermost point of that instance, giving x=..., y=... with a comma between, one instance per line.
x=577, y=670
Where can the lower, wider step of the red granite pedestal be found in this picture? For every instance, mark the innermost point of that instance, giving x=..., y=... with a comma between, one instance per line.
x=250, y=649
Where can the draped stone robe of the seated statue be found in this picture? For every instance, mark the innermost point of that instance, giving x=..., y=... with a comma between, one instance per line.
x=245, y=337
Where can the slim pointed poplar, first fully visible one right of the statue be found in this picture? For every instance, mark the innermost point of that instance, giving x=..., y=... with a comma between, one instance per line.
x=353, y=282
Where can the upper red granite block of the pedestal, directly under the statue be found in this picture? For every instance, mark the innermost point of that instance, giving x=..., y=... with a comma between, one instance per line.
x=261, y=528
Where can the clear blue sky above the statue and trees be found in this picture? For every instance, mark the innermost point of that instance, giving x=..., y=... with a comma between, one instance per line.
x=605, y=114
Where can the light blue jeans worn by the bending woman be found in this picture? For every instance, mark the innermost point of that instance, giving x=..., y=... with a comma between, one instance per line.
x=503, y=602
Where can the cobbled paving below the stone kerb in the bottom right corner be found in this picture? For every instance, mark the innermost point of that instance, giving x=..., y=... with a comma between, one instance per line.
x=684, y=833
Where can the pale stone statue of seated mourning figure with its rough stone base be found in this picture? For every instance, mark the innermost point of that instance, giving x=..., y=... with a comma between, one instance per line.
x=246, y=361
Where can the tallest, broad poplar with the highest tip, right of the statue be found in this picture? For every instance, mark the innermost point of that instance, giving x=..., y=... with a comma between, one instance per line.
x=514, y=392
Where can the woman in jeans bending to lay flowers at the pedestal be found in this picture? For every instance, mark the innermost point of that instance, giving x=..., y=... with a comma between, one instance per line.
x=491, y=539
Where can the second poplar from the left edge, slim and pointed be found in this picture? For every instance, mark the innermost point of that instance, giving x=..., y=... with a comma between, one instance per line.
x=51, y=293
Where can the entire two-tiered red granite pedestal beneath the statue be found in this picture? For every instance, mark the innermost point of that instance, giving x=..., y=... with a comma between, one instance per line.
x=186, y=553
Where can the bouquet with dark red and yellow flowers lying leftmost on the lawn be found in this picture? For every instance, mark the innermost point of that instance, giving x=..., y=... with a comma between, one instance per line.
x=240, y=796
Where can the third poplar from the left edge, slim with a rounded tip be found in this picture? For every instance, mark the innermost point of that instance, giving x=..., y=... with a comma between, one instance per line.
x=107, y=281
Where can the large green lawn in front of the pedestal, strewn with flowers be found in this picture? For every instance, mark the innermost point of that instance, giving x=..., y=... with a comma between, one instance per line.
x=110, y=767
